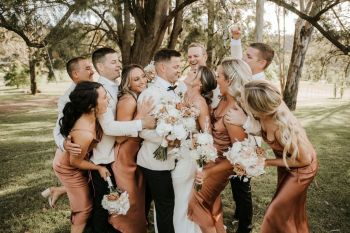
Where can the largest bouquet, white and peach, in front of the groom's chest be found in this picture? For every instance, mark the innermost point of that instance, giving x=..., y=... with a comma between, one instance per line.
x=175, y=121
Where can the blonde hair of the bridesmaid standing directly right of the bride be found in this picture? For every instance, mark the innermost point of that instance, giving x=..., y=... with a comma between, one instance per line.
x=238, y=73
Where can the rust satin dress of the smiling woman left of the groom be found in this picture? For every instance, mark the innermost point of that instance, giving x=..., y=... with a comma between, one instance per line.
x=129, y=178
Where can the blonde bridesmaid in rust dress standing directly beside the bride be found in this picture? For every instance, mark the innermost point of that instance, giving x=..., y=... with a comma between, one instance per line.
x=205, y=206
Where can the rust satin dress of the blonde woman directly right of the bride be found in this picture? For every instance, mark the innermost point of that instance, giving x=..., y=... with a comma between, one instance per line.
x=205, y=206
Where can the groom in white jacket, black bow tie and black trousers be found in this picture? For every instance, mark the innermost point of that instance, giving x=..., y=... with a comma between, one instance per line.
x=157, y=173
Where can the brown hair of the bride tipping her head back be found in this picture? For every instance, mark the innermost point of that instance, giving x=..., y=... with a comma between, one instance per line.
x=207, y=78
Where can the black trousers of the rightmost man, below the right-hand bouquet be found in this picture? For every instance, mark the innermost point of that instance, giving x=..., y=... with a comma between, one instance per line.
x=242, y=196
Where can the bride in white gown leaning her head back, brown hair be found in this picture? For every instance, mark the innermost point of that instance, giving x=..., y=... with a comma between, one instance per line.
x=199, y=93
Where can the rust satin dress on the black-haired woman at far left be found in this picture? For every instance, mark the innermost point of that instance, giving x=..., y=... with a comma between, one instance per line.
x=75, y=182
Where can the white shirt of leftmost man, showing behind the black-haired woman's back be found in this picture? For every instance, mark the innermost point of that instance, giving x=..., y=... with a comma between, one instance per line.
x=59, y=139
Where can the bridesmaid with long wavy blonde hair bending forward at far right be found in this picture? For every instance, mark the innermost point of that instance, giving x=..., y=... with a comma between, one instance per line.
x=296, y=159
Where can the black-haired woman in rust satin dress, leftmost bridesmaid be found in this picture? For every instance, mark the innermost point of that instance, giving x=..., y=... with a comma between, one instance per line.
x=87, y=101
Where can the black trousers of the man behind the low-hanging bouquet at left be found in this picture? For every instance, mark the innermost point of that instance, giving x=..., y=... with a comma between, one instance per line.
x=100, y=216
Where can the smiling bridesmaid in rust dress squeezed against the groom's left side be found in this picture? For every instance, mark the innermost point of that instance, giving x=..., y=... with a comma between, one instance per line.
x=127, y=175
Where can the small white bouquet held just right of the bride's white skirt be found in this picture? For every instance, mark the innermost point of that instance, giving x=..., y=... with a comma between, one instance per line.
x=203, y=151
